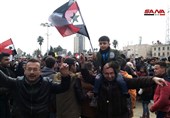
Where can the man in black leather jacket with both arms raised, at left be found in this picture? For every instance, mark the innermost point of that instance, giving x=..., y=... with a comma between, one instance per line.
x=31, y=93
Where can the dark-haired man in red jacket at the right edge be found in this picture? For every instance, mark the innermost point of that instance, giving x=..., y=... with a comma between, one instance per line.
x=162, y=94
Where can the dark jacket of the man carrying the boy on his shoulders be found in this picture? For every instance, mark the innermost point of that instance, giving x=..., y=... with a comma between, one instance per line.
x=112, y=103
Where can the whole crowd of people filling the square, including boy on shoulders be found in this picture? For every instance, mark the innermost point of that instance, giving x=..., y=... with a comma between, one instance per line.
x=101, y=85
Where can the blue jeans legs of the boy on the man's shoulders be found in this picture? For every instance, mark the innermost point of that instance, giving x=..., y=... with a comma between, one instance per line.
x=119, y=79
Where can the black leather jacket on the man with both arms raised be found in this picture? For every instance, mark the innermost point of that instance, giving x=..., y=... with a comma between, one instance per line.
x=32, y=100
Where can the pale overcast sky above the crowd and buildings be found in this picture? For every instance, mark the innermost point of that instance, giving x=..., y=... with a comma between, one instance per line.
x=122, y=20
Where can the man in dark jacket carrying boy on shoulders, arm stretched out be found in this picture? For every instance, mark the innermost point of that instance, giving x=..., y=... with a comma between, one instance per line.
x=111, y=102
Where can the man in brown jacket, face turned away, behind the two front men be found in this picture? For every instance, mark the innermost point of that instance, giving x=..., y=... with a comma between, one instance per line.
x=68, y=103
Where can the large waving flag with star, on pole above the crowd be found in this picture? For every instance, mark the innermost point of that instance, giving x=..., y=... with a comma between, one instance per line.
x=68, y=19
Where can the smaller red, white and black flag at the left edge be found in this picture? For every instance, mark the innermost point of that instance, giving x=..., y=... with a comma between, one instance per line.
x=8, y=47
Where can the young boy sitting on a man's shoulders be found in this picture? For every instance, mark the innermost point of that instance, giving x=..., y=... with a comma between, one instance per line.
x=106, y=54
